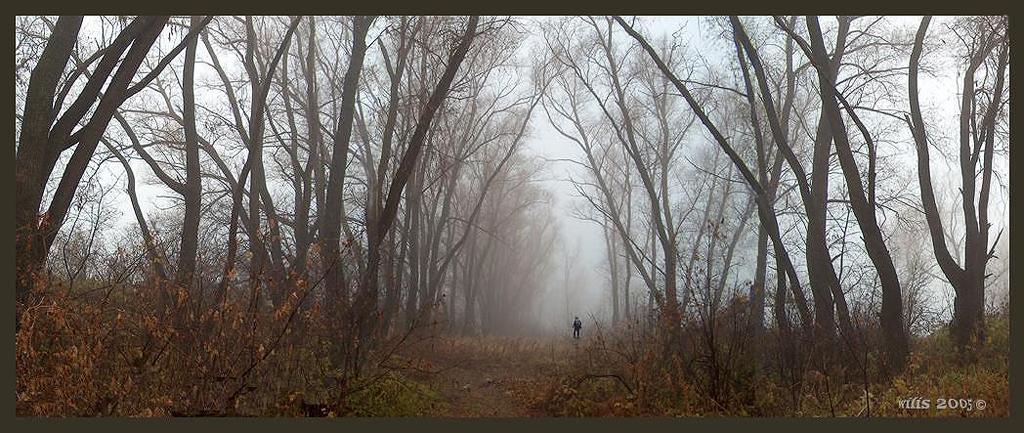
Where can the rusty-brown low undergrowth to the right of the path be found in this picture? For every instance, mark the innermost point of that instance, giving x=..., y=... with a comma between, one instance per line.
x=610, y=380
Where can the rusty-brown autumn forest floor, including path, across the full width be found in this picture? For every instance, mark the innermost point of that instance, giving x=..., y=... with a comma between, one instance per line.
x=108, y=357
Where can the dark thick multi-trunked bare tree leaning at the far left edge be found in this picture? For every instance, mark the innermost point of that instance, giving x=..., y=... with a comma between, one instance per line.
x=45, y=137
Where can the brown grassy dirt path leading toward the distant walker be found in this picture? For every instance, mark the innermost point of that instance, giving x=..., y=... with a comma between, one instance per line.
x=497, y=377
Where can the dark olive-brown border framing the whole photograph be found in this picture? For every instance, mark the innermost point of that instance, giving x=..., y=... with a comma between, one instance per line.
x=621, y=425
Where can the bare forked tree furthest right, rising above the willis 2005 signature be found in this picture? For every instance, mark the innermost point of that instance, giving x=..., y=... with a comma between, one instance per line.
x=987, y=42
